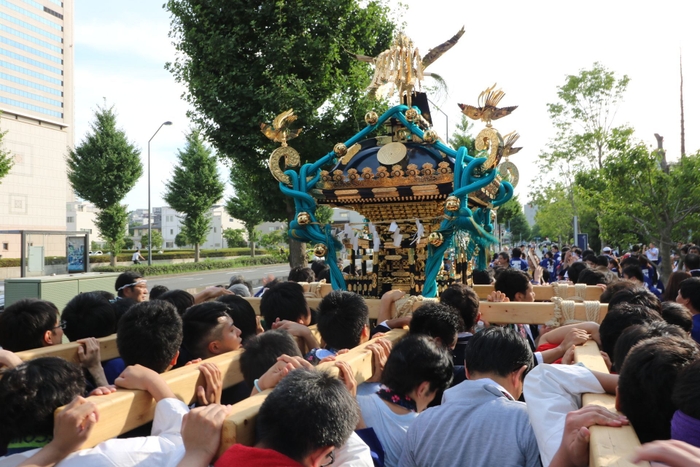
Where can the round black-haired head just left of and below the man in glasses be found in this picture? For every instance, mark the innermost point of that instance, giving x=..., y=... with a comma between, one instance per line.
x=89, y=315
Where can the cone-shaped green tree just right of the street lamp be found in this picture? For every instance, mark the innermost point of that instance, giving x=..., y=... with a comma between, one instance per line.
x=194, y=188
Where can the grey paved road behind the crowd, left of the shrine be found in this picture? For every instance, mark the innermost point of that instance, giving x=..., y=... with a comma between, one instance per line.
x=254, y=274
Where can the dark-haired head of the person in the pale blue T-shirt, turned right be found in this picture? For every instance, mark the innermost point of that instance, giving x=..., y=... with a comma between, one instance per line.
x=418, y=367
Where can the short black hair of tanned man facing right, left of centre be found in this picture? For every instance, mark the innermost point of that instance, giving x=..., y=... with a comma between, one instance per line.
x=199, y=327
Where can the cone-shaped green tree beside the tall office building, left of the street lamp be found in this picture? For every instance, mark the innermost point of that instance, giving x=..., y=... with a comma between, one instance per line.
x=102, y=169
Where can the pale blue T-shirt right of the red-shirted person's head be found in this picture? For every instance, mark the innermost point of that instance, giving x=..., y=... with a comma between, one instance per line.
x=390, y=427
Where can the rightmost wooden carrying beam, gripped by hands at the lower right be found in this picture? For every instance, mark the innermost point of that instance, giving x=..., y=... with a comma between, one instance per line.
x=610, y=447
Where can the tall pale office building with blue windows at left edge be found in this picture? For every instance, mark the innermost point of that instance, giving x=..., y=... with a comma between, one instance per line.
x=36, y=100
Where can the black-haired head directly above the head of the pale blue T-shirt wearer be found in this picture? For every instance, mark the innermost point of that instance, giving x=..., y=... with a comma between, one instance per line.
x=437, y=320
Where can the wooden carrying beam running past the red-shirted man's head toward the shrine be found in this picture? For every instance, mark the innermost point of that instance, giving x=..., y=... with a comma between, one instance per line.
x=239, y=426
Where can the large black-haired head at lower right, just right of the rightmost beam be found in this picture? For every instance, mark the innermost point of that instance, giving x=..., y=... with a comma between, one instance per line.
x=647, y=381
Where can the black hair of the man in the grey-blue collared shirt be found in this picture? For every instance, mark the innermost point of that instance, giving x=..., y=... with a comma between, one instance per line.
x=497, y=350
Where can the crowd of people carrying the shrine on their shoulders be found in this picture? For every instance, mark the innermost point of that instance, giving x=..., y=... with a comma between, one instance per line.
x=455, y=391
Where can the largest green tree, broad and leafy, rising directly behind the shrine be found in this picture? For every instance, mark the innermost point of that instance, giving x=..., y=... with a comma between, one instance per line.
x=242, y=63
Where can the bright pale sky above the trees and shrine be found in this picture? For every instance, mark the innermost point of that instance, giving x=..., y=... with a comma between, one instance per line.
x=528, y=48
